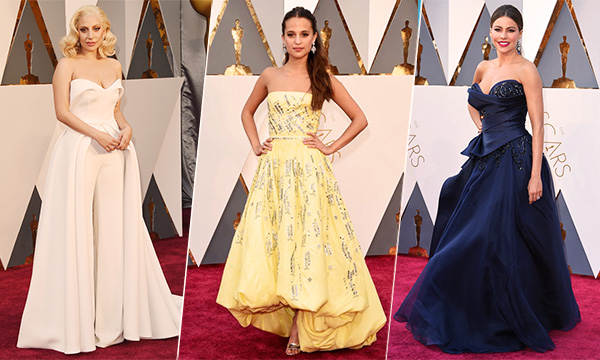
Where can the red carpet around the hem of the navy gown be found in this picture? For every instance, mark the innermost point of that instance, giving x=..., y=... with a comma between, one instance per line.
x=583, y=342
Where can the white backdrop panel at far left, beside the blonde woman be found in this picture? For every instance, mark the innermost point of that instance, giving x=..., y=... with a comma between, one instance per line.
x=28, y=128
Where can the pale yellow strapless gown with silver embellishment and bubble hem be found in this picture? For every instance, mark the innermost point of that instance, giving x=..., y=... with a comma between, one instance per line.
x=295, y=248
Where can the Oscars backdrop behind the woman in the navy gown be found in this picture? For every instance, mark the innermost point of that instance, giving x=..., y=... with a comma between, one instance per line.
x=562, y=38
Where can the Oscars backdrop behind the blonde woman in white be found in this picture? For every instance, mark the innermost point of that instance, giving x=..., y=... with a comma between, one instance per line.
x=148, y=47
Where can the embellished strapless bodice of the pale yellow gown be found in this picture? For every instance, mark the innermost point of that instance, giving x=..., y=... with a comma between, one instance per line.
x=291, y=115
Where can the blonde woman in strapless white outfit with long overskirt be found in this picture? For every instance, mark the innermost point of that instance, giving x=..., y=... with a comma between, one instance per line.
x=96, y=278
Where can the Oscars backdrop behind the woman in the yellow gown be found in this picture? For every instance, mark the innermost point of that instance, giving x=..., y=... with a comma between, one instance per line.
x=372, y=50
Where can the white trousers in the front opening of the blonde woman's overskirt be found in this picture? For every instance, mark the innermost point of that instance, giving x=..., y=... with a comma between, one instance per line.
x=104, y=175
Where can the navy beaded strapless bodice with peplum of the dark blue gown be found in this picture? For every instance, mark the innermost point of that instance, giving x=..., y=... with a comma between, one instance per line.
x=502, y=112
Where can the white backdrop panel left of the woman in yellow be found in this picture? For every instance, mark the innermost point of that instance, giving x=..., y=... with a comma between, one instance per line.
x=222, y=150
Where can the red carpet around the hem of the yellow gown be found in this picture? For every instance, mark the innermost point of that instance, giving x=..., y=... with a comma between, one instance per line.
x=209, y=331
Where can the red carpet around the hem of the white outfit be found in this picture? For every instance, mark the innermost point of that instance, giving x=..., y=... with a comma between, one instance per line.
x=14, y=284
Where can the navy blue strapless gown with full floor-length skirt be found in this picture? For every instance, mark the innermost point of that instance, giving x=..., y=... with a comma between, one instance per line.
x=497, y=279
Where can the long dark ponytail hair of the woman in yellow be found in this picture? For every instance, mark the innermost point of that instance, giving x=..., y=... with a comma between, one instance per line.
x=317, y=63
